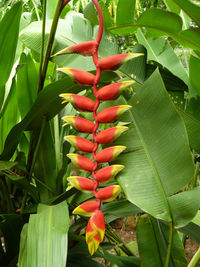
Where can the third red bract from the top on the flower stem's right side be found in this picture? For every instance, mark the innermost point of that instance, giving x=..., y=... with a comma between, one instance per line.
x=111, y=114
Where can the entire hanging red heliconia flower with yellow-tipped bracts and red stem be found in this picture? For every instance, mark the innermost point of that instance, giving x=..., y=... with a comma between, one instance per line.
x=96, y=224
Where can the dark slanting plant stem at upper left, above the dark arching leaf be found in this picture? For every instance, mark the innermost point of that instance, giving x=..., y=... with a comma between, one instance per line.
x=50, y=44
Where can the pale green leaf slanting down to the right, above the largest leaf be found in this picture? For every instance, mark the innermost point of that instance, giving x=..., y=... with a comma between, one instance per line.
x=162, y=52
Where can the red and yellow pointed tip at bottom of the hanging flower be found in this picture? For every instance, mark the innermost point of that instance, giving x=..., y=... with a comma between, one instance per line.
x=95, y=231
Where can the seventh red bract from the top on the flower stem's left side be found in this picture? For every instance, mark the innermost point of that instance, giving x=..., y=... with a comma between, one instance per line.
x=81, y=183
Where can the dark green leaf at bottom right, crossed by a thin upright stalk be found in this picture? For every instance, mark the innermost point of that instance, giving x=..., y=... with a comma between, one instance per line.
x=152, y=237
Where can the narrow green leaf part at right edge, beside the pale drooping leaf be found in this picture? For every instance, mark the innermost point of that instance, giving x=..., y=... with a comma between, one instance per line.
x=194, y=73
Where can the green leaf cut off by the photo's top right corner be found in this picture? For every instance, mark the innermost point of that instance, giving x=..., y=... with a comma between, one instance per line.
x=191, y=9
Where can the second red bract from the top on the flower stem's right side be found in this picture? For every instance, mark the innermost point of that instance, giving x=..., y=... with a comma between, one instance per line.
x=112, y=91
